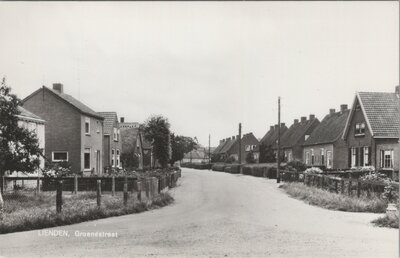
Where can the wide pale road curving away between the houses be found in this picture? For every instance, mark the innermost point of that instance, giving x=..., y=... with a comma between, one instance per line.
x=218, y=215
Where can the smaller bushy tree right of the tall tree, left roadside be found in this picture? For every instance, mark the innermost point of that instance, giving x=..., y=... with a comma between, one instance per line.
x=181, y=145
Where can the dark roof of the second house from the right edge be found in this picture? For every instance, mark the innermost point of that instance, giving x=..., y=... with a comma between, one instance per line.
x=329, y=130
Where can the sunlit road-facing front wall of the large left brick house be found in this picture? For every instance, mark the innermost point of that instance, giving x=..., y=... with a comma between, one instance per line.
x=94, y=141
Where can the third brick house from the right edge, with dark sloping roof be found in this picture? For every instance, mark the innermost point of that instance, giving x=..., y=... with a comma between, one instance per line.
x=293, y=139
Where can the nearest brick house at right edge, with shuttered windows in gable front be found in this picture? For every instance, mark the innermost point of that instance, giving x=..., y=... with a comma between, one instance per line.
x=372, y=130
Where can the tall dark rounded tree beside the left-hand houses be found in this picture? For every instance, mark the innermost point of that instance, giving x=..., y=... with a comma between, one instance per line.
x=156, y=130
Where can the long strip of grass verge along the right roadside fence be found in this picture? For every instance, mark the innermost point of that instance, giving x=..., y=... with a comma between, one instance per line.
x=334, y=201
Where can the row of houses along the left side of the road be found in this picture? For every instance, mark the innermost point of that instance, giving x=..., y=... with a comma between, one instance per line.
x=68, y=130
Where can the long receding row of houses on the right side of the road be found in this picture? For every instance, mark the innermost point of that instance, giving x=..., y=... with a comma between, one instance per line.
x=367, y=134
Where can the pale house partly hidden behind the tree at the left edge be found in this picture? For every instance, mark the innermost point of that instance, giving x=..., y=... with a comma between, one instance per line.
x=34, y=123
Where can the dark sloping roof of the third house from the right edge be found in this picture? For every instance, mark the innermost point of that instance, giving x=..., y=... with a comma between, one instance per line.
x=296, y=131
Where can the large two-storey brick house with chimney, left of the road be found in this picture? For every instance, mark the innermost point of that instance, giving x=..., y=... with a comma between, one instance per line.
x=74, y=132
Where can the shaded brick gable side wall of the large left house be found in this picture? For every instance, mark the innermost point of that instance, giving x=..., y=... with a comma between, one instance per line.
x=63, y=125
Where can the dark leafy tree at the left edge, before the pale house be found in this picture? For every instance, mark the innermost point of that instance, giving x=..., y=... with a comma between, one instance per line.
x=19, y=148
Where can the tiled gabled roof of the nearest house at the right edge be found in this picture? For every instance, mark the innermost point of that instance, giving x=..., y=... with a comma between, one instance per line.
x=381, y=111
